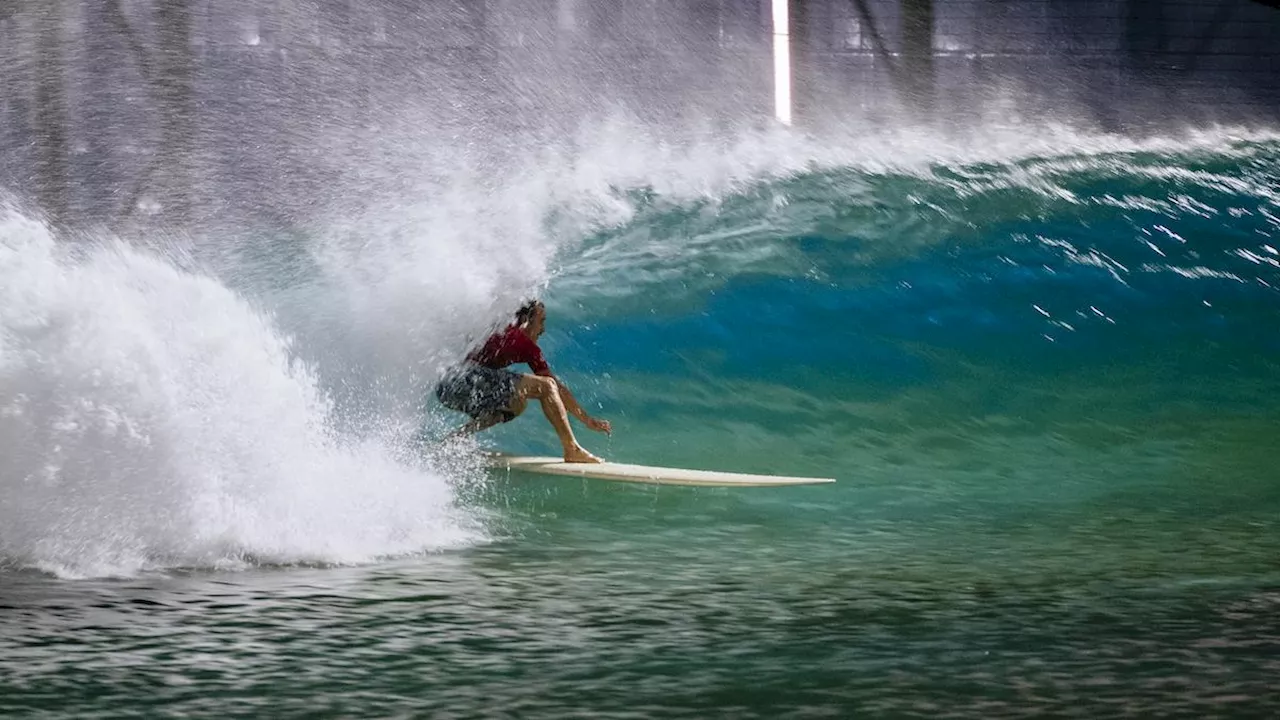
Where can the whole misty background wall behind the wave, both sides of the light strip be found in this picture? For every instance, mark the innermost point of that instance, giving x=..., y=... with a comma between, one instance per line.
x=118, y=112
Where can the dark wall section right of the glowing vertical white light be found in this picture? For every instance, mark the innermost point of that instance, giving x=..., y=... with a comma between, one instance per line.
x=1122, y=63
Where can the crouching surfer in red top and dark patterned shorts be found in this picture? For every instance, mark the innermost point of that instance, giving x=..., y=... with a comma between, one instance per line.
x=486, y=390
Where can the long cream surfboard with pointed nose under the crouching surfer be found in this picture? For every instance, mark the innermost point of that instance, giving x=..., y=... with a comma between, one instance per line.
x=625, y=473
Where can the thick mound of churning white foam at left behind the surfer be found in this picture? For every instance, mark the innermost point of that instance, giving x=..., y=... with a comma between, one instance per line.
x=150, y=417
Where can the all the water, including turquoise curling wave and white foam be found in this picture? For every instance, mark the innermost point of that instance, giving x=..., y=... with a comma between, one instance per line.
x=1045, y=380
